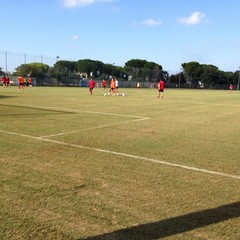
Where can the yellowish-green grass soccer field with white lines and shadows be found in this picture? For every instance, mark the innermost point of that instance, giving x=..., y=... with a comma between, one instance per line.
x=75, y=166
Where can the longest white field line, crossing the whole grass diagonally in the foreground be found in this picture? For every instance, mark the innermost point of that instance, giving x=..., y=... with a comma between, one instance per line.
x=127, y=155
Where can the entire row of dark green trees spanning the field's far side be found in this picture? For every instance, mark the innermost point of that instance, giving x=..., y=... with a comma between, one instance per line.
x=192, y=74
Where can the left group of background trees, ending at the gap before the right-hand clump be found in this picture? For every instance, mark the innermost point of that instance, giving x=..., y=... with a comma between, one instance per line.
x=135, y=69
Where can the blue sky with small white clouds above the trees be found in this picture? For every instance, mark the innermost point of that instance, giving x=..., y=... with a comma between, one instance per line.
x=168, y=32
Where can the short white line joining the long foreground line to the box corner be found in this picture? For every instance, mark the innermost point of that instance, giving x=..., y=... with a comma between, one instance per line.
x=92, y=128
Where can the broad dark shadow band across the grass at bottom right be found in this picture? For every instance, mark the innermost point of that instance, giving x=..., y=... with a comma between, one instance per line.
x=174, y=225
